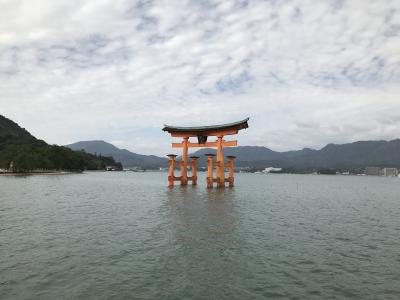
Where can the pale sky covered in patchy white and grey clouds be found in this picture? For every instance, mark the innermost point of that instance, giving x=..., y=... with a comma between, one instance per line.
x=307, y=73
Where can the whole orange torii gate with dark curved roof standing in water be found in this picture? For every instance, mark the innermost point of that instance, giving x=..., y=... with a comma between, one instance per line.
x=202, y=133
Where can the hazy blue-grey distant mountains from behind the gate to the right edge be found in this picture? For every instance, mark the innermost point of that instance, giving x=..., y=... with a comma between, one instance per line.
x=347, y=156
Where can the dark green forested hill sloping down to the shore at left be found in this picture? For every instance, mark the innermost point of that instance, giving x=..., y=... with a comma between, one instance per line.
x=22, y=152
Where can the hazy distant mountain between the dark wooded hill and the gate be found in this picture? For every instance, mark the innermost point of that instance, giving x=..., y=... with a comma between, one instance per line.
x=127, y=158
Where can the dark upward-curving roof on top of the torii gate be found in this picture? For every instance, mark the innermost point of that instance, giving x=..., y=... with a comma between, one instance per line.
x=232, y=128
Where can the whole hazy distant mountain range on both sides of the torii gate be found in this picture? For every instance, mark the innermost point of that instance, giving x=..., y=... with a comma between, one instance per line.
x=357, y=155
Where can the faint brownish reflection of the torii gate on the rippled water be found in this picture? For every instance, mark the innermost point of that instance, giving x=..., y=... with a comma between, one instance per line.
x=204, y=233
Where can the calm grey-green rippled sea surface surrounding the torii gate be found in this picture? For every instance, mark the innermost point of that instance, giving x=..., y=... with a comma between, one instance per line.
x=127, y=236
